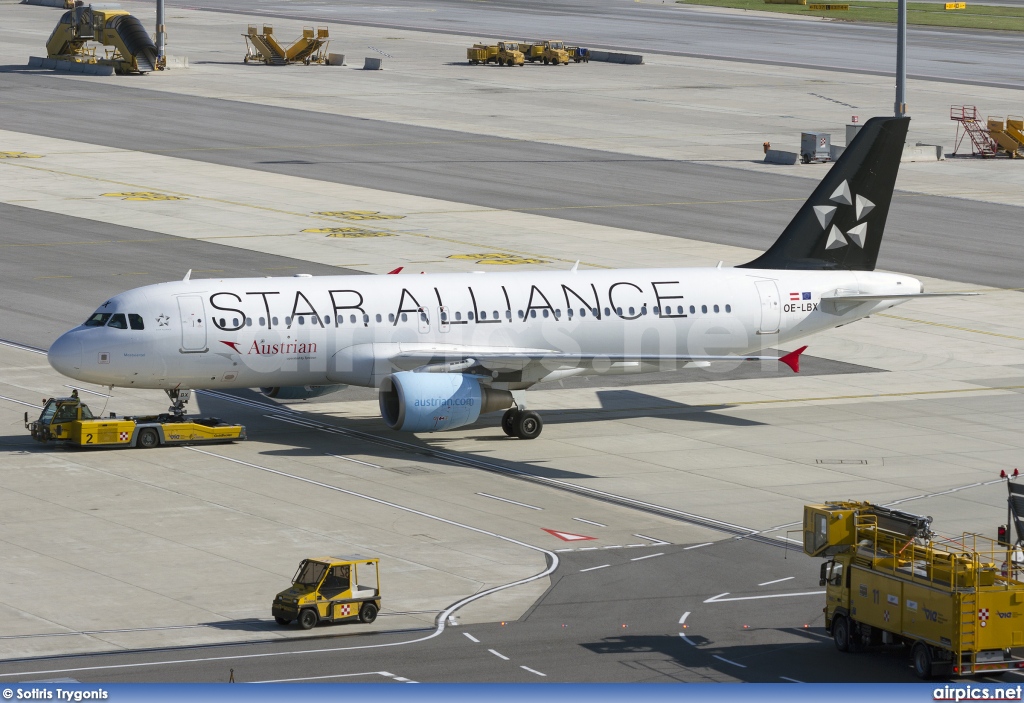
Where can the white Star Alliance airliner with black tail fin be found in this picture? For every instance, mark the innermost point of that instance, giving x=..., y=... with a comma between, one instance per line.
x=445, y=348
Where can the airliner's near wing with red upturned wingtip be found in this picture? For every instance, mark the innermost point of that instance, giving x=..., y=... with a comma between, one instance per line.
x=460, y=359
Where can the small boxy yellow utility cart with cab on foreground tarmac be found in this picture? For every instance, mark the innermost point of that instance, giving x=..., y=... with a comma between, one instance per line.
x=331, y=590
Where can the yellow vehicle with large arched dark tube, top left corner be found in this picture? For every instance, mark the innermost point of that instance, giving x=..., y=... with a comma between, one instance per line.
x=132, y=51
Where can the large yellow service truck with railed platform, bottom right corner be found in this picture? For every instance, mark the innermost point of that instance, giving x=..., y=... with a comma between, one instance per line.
x=955, y=602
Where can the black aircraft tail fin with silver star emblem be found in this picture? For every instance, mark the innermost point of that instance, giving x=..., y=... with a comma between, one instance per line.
x=841, y=225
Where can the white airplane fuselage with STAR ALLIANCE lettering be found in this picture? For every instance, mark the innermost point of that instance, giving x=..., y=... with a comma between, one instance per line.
x=245, y=333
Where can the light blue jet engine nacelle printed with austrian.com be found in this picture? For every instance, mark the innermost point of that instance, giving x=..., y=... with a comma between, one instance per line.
x=428, y=403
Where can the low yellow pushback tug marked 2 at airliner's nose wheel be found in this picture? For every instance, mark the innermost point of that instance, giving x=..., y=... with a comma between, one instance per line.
x=70, y=422
